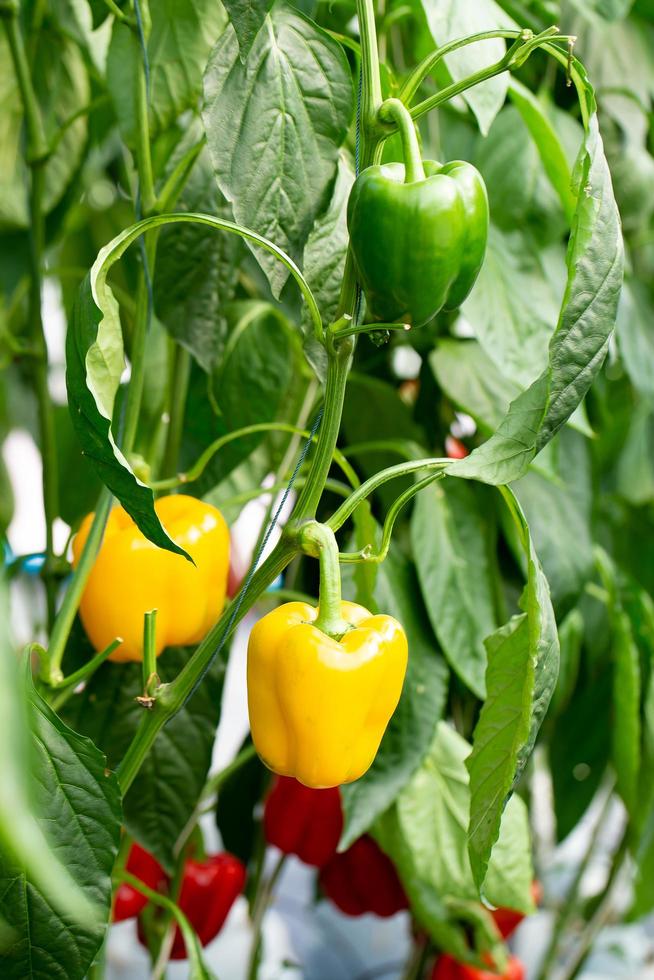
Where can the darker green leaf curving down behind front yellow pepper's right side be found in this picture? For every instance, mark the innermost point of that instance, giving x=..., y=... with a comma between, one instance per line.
x=411, y=729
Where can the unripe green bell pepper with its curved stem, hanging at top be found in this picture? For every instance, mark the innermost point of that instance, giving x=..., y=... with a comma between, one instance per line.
x=418, y=232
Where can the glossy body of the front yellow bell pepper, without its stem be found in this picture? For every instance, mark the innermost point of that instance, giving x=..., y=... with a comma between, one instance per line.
x=318, y=706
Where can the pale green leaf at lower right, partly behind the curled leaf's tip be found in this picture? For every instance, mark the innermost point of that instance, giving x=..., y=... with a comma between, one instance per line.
x=426, y=836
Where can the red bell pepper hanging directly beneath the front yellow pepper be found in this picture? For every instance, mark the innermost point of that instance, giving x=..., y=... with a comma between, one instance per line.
x=303, y=821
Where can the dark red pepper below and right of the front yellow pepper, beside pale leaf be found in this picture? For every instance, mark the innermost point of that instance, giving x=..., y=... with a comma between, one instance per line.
x=363, y=879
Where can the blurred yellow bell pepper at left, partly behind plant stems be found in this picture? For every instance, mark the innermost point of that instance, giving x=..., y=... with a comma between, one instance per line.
x=131, y=575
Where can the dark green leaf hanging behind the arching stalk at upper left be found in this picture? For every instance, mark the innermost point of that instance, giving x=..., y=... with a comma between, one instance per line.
x=196, y=270
